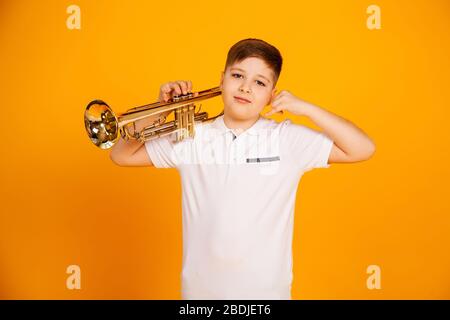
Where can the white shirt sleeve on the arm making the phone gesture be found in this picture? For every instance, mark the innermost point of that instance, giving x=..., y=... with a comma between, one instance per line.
x=305, y=147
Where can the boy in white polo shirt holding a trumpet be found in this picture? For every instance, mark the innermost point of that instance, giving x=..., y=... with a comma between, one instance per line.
x=240, y=175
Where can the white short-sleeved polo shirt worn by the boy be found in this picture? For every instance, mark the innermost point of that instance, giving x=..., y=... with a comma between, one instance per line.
x=238, y=200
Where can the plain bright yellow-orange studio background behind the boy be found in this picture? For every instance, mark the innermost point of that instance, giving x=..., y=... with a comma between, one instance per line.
x=64, y=202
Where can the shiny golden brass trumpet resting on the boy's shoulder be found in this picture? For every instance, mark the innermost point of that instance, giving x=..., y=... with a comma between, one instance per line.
x=103, y=126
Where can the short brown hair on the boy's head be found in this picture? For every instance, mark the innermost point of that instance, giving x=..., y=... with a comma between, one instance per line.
x=256, y=48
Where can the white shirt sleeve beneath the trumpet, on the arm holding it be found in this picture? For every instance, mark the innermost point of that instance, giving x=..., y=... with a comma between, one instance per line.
x=162, y=152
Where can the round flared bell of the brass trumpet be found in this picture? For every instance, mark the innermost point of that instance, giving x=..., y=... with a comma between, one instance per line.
x=101, y=124
